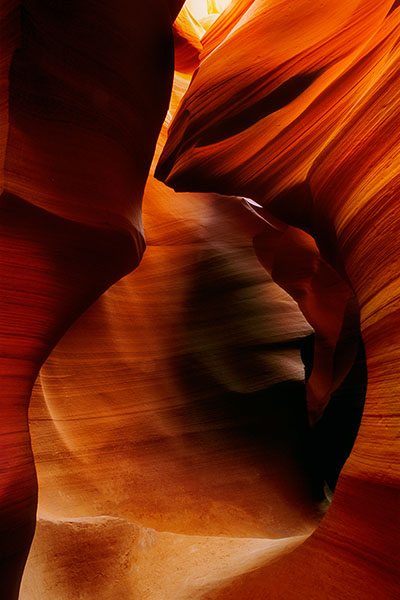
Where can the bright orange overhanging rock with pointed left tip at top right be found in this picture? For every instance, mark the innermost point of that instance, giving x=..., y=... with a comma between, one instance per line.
x=271, y=107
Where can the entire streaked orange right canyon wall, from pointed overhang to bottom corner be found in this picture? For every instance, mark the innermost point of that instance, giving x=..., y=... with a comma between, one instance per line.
x=308, y=128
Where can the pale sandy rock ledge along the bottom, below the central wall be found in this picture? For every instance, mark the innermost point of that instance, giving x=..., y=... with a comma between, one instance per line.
x=135, y=562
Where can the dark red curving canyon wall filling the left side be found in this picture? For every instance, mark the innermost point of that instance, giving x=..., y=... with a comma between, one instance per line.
x=79, y=125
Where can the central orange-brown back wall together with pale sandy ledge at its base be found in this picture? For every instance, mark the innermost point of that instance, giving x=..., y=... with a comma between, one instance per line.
x=177, y=404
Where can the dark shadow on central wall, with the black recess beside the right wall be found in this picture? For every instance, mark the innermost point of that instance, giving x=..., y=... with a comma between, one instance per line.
x=266, y=428
